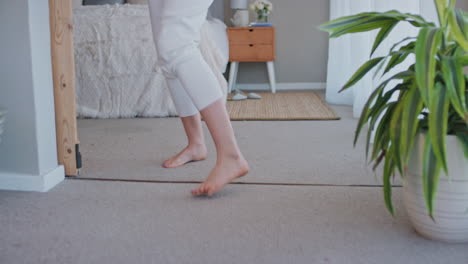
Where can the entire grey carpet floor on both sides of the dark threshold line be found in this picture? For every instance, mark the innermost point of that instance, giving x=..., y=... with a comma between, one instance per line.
x=106, y=220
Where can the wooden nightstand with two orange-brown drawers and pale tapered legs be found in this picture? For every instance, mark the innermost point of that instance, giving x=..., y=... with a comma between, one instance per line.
x=251, y=44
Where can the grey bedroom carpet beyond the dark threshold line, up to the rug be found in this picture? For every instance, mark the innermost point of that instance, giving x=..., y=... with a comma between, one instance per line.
x=295, y=152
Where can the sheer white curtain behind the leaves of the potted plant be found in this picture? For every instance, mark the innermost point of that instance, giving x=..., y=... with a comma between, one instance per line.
x=349, y=52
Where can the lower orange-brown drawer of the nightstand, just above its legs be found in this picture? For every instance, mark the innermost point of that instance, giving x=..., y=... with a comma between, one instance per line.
x=251, y=52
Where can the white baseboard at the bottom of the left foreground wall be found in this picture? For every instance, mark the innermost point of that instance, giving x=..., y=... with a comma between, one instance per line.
x=29, y=182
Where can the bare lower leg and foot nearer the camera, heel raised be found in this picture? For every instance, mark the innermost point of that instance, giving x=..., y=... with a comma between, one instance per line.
x=230, y=163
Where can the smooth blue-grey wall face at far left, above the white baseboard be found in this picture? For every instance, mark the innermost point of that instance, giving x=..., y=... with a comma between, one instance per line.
x=17, y=91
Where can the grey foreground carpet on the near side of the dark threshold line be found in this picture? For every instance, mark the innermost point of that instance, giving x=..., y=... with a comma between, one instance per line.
x=112, y=222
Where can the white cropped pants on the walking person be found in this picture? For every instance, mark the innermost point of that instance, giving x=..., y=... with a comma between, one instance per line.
x=176, y=30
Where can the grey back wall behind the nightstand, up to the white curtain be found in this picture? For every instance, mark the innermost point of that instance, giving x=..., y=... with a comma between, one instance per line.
x=302, y=50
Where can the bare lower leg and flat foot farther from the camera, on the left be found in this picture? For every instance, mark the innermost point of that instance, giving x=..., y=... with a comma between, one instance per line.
x=196, y=148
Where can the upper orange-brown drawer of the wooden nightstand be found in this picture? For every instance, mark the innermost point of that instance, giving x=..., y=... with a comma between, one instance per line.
x=251, y=35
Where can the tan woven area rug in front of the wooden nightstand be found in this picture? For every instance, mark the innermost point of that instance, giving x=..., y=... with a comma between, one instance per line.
x=282, y=106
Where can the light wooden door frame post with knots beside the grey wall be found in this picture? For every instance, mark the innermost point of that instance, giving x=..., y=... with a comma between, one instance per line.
x=63, y=69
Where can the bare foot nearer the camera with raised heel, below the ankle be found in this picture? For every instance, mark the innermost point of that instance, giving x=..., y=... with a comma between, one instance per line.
x=225, y=172
